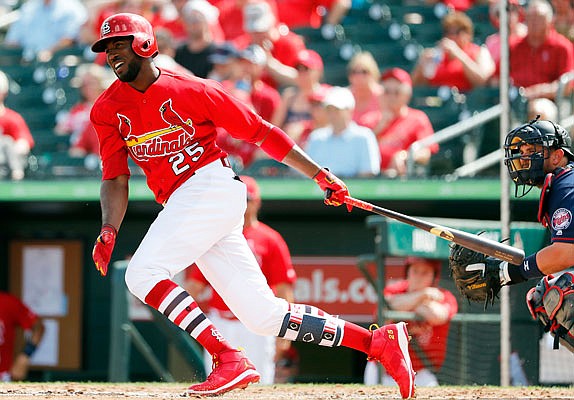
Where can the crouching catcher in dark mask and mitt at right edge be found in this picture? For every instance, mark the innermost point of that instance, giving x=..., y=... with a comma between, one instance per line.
x=539, y=154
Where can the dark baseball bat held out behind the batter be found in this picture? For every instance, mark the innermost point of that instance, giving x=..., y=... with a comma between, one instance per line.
x=471, y=241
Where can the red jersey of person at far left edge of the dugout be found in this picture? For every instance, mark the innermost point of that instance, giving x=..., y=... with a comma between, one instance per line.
x=13, y=314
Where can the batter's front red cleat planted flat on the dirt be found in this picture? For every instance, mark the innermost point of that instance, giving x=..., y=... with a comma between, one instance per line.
x=231, y=370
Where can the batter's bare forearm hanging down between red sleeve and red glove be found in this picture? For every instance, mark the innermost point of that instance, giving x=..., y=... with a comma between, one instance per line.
x=114, y=200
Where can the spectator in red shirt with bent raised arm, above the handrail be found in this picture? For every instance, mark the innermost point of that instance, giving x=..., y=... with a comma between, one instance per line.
x=456, y=61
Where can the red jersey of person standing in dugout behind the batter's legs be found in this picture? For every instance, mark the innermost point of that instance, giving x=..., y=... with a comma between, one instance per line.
x=271, y=253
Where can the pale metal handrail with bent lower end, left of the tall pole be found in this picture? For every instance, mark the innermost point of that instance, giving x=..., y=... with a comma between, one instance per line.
x=451, y=132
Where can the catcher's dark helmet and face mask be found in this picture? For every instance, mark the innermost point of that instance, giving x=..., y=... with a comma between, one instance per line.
x=527, y=170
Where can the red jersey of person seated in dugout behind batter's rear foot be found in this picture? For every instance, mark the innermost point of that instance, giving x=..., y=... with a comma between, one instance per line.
x=431, y=339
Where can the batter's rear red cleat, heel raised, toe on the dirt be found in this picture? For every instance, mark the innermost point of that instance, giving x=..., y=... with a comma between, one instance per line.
x=390, y=346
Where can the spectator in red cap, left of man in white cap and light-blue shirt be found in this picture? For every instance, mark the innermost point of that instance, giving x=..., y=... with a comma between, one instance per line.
x=294, y=113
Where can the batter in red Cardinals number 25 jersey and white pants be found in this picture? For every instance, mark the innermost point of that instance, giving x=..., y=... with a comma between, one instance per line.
x=166, y=123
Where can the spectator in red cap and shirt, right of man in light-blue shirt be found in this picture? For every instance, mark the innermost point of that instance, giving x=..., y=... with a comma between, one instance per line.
x=398, y=125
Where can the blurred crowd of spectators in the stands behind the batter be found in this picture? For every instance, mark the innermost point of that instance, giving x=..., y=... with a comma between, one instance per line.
x=251, y=48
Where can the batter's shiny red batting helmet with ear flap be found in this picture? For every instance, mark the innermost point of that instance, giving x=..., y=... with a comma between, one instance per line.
x=128, y=25
